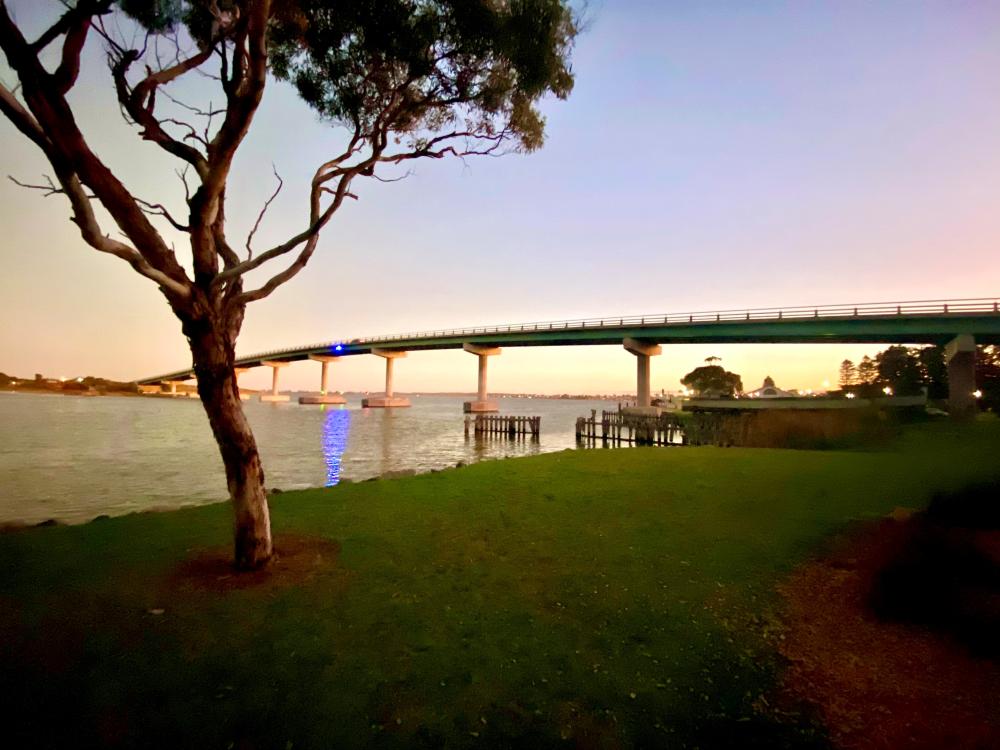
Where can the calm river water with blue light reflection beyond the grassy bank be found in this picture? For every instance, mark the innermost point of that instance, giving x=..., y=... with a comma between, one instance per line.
x=73, y=458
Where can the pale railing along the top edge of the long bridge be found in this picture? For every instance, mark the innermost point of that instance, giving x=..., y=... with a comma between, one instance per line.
x=981, y=305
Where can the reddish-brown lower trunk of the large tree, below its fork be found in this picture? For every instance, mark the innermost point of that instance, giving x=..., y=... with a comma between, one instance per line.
x=213, y=355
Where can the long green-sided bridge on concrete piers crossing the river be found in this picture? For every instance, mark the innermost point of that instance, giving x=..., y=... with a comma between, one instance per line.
x=956, y=324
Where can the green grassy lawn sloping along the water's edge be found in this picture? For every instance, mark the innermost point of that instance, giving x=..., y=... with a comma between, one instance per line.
x=599, y=598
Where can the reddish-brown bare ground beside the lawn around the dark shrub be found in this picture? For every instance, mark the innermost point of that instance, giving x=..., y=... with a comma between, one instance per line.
x=882, y=684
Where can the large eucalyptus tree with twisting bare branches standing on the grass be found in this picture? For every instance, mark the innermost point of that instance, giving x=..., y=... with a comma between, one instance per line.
x=401, y=79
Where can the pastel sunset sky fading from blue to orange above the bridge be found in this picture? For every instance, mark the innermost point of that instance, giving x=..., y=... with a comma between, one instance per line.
x=713, y=155
